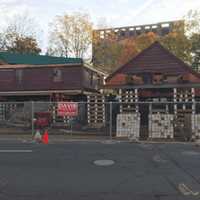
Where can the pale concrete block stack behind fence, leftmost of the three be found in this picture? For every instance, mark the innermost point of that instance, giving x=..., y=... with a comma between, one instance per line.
x=128, y=125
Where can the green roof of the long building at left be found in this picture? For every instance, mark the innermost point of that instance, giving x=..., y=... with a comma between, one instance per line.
x=31, y=59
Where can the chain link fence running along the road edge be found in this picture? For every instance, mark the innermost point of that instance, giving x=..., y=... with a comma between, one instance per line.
x=141, y=120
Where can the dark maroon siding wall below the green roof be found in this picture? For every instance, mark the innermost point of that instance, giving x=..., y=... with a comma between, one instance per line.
x=41, y=78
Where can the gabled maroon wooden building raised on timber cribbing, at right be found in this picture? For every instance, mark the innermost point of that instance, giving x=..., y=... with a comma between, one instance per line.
x=165, y=83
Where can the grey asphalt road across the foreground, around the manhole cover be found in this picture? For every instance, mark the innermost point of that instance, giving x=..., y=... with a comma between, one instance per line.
x=66, y=171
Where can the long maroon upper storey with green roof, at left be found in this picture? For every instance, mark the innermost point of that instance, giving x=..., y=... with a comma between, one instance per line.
x=31, y=77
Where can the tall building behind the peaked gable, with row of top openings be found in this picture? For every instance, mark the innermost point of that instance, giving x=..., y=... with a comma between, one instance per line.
x=112, y=47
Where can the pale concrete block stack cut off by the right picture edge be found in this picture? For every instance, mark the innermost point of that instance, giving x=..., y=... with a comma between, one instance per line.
x=195, y=126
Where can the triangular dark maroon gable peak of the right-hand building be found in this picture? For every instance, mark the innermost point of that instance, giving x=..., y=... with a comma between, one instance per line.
x=155, y=59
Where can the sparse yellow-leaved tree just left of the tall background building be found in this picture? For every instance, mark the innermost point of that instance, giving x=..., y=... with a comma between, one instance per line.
x=71, y=35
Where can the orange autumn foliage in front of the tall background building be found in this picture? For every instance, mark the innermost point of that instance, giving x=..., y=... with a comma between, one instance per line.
x=110, y=53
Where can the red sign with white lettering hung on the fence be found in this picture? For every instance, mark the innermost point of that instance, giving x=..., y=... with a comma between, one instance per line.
x=69, y=109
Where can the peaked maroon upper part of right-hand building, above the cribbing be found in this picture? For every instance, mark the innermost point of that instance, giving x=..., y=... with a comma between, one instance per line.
x=154, y=68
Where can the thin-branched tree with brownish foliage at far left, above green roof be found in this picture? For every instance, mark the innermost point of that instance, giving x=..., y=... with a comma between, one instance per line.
x=20, y=36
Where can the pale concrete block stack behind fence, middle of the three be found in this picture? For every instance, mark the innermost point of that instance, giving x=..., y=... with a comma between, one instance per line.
x=161, y=126
